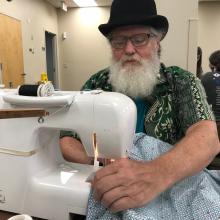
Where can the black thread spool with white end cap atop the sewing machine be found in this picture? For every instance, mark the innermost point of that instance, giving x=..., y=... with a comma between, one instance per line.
x=42, y=90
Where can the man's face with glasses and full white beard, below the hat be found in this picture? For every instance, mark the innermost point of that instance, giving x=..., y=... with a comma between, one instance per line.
x=135, y=61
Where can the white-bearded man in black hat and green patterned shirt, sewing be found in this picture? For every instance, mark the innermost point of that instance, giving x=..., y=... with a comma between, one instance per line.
x=170, y=103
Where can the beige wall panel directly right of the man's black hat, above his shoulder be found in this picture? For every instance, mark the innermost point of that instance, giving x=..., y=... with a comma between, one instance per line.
x=180, y=45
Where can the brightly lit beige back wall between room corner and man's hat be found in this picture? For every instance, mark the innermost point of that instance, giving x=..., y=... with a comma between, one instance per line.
x=85, y=50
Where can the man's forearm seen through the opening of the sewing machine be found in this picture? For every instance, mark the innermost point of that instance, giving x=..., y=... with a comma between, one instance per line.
x=73, y=150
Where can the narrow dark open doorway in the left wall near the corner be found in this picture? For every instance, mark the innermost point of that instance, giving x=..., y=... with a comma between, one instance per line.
x=51, y=58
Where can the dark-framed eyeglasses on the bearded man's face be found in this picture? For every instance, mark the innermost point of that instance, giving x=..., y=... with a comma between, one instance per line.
x=137, y=40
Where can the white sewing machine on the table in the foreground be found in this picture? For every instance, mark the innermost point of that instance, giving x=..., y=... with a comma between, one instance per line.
x=34, y=177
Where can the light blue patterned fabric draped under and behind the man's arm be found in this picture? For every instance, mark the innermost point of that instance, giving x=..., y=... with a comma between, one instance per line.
x=194, y=198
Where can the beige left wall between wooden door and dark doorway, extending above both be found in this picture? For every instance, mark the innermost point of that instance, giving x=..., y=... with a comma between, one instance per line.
x=36, y=16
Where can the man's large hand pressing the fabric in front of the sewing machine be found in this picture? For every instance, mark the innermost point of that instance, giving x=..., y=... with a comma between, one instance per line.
x=128, y=184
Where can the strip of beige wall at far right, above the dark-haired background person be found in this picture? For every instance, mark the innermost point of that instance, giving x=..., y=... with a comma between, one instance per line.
x=209, y=30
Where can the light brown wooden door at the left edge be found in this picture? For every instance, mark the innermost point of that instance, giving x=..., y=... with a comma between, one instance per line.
x=11, y=52
